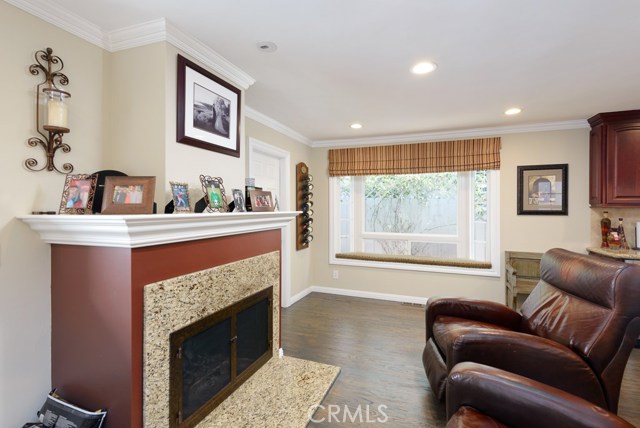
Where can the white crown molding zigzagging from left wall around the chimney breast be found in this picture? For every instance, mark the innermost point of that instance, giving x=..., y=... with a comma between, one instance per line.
x=143, y=34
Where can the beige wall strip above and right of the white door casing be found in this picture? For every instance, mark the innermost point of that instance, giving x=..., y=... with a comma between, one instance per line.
x=300, y=260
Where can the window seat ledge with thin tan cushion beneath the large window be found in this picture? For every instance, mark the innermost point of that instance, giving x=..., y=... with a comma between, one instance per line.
x=416, y=263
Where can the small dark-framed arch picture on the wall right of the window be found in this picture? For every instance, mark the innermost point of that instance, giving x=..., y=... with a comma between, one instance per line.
x=543, y=189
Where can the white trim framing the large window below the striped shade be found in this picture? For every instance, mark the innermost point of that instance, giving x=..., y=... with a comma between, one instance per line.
x=493, y=213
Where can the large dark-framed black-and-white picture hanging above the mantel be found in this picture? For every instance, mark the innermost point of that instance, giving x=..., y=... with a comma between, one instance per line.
x=208, y=110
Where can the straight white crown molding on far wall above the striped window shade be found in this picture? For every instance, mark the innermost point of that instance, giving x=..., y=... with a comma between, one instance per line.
x=453, y=135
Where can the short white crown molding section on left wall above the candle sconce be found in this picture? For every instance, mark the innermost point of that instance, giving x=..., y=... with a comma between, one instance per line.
x=63, y=19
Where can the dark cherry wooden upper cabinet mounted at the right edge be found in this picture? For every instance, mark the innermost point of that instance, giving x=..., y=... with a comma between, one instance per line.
x=614, y=159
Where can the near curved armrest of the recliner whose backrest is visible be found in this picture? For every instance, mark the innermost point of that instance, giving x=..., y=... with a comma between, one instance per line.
x=531, y=356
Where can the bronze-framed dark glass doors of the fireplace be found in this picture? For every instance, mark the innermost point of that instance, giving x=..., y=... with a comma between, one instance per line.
x=215, y=355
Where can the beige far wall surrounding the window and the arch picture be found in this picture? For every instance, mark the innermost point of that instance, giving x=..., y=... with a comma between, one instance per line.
x=524, y=233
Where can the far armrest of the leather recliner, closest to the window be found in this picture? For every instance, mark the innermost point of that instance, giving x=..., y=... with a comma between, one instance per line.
x=479, y=310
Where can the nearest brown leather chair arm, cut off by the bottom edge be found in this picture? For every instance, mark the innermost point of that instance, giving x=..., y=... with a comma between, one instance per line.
x=483, y=396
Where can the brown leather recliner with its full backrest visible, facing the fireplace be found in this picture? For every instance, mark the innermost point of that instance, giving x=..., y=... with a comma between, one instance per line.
x=576, y=331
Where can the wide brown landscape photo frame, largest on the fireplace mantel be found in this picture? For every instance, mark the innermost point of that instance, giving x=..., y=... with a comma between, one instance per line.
x=128, y=195
